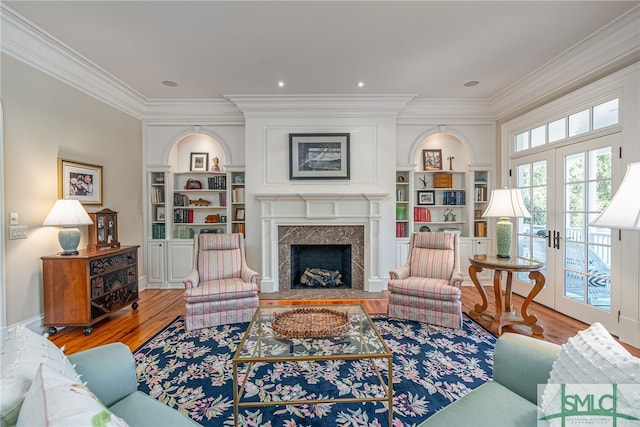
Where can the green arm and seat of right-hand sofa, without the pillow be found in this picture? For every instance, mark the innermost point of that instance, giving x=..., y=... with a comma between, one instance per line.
x=520, y=364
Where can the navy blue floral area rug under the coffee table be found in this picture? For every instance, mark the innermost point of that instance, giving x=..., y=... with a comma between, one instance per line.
x=432, y=367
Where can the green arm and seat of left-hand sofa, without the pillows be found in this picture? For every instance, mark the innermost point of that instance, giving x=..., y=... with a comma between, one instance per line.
x=109, y=371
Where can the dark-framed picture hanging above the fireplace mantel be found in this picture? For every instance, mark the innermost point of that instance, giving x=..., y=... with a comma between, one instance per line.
x=319, y=156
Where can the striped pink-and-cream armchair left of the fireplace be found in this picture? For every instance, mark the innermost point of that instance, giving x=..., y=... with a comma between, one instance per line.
x=220, y=289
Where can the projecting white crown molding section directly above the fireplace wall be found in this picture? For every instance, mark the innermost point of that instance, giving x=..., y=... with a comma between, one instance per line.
x=320, y=105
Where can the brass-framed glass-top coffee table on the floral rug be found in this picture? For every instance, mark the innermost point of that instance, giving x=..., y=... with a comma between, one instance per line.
x=259, y=331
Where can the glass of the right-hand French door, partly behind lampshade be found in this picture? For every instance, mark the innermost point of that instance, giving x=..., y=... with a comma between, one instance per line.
x=587, y=266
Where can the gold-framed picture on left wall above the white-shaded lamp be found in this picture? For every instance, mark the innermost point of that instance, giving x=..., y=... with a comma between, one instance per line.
x=80, y=181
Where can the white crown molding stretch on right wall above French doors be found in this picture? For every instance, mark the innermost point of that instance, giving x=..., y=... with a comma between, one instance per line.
x=617, y=42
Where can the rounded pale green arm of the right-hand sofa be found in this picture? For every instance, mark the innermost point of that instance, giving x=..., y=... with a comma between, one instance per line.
x=522, y=362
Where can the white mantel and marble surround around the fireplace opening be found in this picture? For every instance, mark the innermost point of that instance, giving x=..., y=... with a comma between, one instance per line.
x=320, y=219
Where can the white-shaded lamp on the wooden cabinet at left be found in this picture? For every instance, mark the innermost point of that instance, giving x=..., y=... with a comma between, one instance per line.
x=69, y=214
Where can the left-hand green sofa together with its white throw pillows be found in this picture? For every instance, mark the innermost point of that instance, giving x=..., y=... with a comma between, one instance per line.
x=39, y=385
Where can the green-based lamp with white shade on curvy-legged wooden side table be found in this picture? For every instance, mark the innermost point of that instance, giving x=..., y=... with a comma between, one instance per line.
x=505, y=203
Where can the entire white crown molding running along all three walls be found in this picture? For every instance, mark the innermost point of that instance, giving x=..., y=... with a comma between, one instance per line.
x=615, y=45
